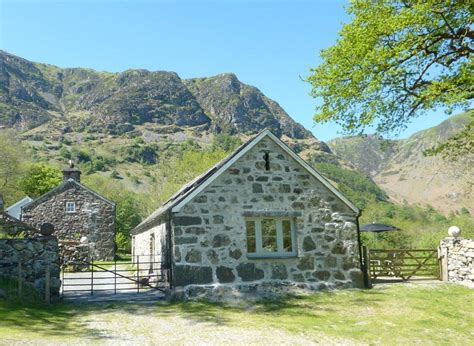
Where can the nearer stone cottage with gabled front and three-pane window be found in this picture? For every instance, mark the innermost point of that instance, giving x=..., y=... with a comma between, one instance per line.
x=260, y=220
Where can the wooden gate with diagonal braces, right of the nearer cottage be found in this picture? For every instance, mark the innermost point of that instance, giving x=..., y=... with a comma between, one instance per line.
x=403, y=263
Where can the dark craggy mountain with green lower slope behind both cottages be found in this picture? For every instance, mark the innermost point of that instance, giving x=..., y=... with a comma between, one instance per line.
x=128, y=125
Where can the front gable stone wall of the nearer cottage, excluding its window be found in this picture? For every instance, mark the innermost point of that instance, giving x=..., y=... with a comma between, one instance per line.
x=209, y=235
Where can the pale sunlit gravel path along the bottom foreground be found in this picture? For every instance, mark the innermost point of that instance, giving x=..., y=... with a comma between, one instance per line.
x=178, y=330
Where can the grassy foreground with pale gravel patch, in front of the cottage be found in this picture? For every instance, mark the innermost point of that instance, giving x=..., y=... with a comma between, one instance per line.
x=395, y=314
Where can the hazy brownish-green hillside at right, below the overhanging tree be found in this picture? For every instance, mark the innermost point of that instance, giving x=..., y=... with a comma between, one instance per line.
x=400, y=168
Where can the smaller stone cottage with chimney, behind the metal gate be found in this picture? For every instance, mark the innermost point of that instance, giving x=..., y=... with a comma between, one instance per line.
x=81, y=217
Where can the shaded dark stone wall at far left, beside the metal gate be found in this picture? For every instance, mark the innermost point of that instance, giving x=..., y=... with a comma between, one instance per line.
x=35, y=255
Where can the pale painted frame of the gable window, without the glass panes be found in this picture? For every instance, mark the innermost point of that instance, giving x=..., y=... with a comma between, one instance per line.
x=259, y=252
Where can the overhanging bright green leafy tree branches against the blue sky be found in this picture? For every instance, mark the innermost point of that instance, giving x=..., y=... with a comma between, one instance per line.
x=394, y=61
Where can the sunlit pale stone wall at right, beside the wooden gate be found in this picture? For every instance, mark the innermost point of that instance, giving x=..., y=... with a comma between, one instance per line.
x=458, y=259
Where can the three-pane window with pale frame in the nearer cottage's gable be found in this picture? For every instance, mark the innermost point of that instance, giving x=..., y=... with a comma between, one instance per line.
x=270, y=237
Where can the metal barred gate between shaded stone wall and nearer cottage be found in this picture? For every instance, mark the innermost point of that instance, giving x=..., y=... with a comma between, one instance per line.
x=115, y=277
